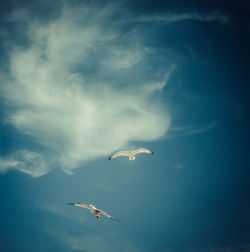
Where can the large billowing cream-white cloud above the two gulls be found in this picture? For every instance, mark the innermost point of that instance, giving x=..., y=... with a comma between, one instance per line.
x=77, y=87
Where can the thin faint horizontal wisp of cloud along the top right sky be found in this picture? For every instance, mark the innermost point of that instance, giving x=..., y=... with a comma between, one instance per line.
x=170, y=18
